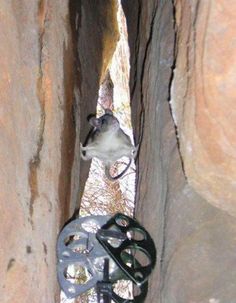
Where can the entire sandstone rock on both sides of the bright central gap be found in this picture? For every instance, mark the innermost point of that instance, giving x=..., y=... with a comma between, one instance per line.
x=54, y=55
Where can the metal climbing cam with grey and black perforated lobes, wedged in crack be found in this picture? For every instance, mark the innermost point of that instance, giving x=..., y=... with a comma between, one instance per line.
x=113, y=254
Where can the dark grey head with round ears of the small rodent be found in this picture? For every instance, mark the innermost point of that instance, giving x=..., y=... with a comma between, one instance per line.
x=105, y=123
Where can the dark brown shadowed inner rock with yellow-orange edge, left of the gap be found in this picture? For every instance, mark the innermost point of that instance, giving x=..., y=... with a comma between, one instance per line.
x=96, y=38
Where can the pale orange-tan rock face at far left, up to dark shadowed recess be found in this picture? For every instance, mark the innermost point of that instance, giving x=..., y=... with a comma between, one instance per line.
x=36, y=145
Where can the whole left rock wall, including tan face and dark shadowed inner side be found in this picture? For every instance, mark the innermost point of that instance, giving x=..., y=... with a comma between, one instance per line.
x=53, y=55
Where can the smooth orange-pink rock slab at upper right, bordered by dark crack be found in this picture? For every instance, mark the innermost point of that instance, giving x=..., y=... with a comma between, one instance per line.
x=203, y=98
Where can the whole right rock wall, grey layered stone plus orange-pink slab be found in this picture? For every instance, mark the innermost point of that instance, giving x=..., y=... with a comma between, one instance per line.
x=195, y=240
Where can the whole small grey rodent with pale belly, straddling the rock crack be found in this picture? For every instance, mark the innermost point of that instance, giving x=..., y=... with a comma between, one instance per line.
x=108, y=143
